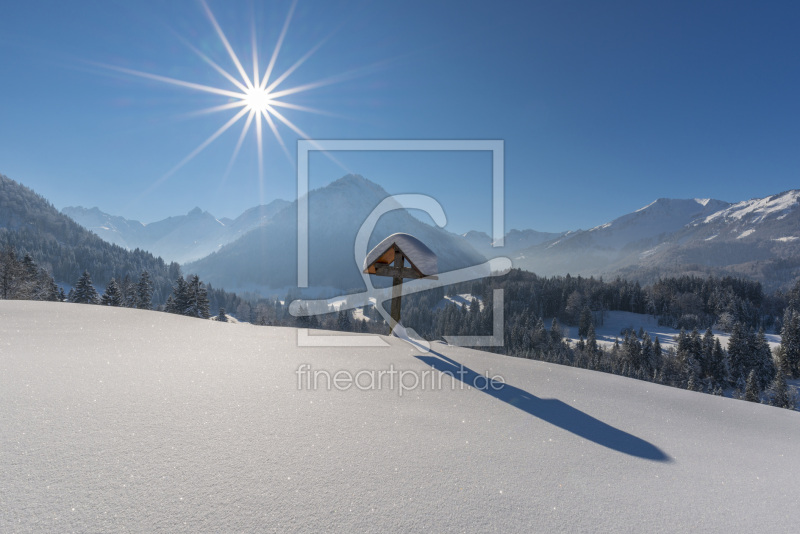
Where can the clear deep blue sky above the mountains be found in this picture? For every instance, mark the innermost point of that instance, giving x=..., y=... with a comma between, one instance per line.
x=603, y=106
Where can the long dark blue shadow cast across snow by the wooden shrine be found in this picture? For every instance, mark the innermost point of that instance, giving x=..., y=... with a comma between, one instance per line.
x=553, y=411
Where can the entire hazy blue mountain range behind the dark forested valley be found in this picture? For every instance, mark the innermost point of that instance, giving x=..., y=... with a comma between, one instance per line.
x=757, y=239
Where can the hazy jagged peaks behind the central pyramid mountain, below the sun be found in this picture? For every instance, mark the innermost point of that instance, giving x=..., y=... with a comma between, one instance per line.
x=182, y=238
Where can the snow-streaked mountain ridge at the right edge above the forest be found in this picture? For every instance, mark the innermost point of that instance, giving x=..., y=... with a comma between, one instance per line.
x=759, y=238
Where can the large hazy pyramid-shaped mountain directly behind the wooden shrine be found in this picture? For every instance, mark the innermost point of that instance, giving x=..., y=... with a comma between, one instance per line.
x=267, y=256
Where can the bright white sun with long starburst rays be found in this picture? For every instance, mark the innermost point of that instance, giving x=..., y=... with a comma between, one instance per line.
x=253, y=97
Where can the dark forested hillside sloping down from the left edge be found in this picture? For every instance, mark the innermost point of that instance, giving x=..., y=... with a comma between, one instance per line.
x=32, y=225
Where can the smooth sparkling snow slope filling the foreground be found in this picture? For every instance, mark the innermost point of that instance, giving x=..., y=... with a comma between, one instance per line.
x=115, y=419
